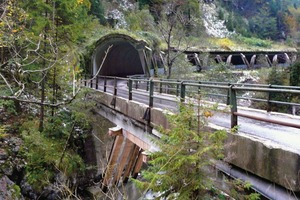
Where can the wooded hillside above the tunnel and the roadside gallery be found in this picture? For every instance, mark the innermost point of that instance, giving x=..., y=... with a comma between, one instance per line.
x=270, y=24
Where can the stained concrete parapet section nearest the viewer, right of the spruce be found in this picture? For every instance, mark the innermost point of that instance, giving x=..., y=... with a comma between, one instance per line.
x=265, y=159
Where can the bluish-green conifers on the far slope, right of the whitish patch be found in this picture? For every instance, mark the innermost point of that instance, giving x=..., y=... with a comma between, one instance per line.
x=262, y=19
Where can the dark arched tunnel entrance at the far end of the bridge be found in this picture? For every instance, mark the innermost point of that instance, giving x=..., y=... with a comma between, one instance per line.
x=125, y=56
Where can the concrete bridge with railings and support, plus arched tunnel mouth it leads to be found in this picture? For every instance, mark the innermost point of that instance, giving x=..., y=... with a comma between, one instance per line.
x=267, y=144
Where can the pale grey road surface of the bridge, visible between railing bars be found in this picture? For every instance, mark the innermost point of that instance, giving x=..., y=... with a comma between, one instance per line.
x=276, y=135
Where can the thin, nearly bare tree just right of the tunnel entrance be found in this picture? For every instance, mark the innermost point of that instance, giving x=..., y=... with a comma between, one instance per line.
x=174, y=20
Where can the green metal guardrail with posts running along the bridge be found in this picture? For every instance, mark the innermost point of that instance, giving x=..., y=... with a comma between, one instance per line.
x=188, y=88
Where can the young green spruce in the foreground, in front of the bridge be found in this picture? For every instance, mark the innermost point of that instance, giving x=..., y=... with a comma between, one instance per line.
x=178, y=169
